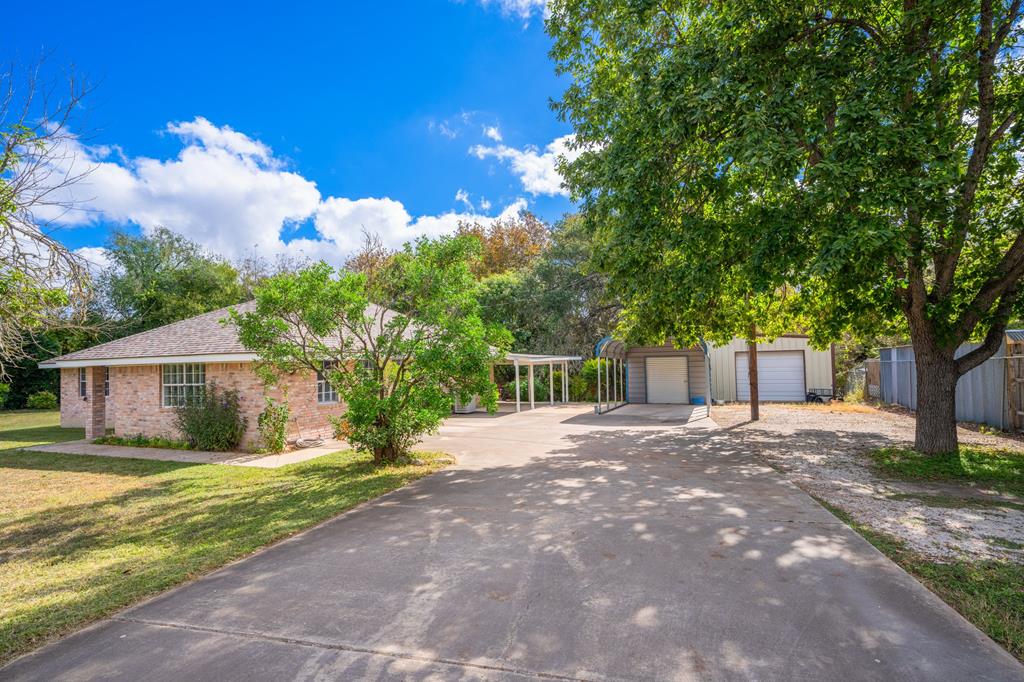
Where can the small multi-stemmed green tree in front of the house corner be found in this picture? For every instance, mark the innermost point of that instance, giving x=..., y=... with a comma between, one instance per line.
x=399, y=344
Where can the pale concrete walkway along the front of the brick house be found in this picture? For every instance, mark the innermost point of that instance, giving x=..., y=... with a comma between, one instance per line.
x=193, y=456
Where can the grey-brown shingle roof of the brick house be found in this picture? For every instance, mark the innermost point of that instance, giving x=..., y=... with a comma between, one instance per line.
x=202, y=335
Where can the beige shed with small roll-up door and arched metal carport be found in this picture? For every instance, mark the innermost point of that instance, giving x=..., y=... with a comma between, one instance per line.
x=653, y=375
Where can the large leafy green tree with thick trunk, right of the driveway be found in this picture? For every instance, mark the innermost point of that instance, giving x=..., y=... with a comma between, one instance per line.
x=867, y=155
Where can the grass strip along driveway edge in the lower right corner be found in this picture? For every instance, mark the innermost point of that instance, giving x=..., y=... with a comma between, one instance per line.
x=990, y=594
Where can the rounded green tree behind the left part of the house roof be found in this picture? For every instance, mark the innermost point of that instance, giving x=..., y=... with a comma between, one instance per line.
x=161, y=278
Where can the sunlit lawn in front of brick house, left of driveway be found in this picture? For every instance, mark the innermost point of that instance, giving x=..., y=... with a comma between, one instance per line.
x=83, y=537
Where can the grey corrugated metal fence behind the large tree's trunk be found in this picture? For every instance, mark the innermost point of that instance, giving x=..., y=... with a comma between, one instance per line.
x=982, y=394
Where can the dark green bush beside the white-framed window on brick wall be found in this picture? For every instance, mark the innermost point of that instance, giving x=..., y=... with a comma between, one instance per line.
x=214, y=421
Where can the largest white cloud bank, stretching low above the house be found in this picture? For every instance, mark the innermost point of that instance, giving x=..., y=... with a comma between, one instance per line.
x=230, y=193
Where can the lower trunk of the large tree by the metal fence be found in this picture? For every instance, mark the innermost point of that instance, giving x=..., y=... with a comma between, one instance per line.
x=937, y=376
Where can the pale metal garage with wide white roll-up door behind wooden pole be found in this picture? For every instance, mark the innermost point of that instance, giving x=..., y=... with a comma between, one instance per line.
x=788, y=369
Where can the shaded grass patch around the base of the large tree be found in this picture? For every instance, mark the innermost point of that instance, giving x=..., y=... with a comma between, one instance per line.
x=1001, y=470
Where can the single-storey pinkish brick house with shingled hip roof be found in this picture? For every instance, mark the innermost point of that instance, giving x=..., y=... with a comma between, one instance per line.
x=134, y=385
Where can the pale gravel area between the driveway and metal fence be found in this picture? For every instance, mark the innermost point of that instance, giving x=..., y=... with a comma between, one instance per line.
x=824, y=450
